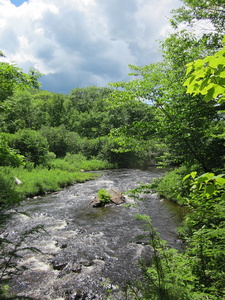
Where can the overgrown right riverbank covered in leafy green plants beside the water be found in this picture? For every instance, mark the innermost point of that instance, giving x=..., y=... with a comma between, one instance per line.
x=202, y=230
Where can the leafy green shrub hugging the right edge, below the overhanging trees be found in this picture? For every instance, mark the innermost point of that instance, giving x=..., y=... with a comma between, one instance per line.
x=204, y=230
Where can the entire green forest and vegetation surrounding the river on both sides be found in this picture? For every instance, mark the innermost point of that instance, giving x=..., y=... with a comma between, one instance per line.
x=169, y=114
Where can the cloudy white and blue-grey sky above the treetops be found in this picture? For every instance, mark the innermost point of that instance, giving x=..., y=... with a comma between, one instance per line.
x=79, y=43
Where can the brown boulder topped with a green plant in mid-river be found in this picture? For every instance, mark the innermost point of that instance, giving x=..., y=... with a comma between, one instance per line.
x=114, y=196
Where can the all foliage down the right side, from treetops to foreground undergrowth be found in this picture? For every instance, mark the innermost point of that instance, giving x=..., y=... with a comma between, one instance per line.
x=186, y=93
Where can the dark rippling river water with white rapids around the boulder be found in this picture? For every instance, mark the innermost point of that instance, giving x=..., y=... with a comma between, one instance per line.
x=88, y=251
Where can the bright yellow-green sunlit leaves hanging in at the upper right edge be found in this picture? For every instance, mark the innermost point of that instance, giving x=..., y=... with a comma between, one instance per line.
x=207, y=77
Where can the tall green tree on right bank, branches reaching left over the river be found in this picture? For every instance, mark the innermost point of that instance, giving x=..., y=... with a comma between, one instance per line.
x=185, y=123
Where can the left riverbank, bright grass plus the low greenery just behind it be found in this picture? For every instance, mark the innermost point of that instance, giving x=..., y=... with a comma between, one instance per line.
x=20, y=183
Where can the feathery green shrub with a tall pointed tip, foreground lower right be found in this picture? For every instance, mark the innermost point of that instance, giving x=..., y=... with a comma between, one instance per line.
x=167, y=274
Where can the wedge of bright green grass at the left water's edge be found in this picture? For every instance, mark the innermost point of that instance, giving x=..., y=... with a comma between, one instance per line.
x=36, y=182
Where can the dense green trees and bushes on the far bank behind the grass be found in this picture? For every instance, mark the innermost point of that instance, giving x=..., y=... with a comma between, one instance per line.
x=76, y=123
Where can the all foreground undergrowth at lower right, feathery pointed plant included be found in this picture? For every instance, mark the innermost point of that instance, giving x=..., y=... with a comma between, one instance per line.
x=197, y=273
